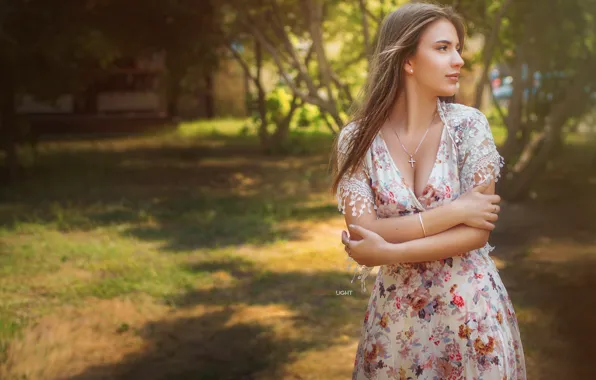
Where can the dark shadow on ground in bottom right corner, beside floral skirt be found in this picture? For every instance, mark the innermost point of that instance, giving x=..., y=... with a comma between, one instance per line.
x=560, y=332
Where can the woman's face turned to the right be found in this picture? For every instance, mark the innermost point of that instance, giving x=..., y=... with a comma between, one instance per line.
x=437, y=62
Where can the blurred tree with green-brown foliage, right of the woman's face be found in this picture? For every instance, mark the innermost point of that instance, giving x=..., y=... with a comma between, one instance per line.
x=548, y=48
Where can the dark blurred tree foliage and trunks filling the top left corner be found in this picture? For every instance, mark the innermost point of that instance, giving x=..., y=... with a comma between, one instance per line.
x=55, y=47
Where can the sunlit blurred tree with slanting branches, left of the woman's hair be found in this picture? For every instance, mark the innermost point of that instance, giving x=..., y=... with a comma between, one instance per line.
x=318, y=48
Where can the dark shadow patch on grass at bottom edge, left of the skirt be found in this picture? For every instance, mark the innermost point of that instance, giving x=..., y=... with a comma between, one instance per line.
x=198, y=348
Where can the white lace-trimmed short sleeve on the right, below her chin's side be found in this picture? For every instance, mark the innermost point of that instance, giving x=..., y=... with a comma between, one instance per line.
x=479, y=159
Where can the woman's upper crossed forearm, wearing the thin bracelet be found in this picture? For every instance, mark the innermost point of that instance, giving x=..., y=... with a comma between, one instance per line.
x=407, y=228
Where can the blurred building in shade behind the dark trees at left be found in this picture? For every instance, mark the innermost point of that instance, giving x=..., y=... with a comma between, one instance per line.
x=135, y=92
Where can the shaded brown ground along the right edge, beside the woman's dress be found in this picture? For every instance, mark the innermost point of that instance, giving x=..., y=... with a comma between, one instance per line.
x=549, y=248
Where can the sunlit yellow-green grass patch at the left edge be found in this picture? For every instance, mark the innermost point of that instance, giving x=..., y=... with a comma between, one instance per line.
x=51, y=268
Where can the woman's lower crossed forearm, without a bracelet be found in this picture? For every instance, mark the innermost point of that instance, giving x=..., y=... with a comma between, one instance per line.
x=453, y=242
